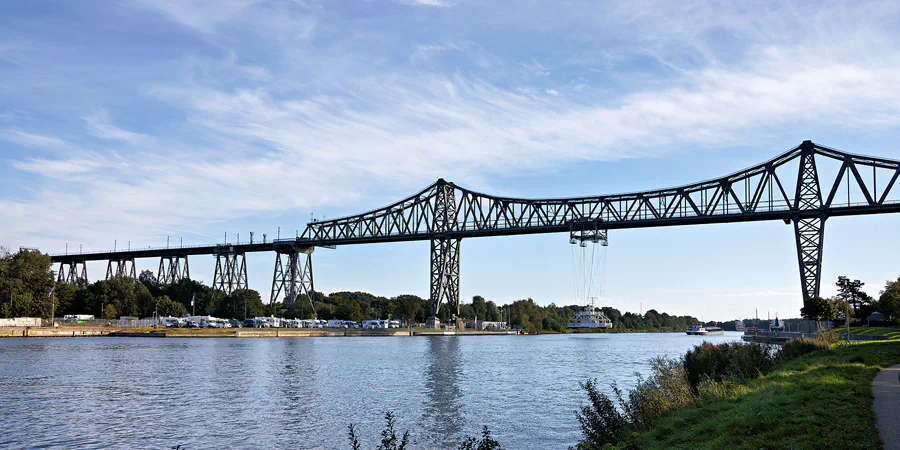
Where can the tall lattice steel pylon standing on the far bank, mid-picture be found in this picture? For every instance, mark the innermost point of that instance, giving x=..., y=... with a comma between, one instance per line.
x=444, y=254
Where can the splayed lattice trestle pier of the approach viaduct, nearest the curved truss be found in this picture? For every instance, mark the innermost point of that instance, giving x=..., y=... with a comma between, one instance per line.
x=293, y=277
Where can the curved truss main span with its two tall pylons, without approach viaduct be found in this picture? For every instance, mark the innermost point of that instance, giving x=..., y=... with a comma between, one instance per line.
x=762, y=192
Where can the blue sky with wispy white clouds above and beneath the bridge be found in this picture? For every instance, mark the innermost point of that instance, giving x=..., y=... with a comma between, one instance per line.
x=137, y=120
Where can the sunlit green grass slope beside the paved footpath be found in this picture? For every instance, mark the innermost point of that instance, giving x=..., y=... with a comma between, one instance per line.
x=822, y=400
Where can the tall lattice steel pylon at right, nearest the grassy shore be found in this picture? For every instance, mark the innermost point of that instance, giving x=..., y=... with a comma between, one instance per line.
x=810, y=231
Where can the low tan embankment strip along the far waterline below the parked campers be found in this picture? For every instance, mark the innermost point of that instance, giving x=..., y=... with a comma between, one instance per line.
x=36, y=332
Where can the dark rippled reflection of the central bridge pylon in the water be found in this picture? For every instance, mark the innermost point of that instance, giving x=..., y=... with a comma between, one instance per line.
x=444, y=399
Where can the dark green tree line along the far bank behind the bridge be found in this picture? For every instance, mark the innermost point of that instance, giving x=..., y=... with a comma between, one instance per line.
x=26, y=277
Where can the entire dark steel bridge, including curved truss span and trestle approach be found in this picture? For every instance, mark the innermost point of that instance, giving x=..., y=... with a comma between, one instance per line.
x=793, y=187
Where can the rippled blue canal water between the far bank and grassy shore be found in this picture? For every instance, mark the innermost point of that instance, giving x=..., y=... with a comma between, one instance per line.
x=303, y=392
